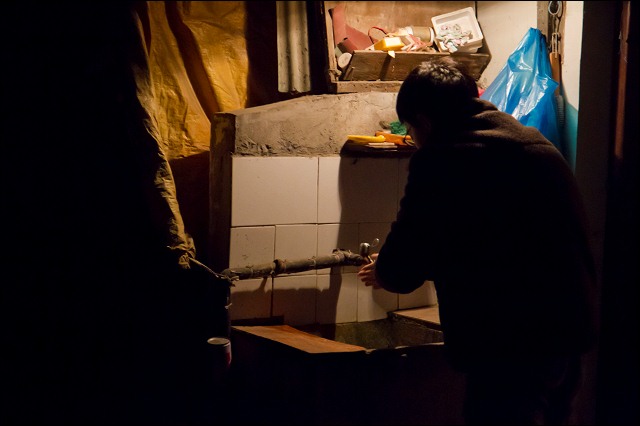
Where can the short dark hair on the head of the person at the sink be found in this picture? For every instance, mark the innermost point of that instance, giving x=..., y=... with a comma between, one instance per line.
x=440, y=88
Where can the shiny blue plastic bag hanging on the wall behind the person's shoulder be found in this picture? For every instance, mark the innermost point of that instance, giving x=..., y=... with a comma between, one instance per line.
x=525, y=89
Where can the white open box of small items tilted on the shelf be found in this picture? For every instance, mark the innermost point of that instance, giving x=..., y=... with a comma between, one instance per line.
x=458, y=31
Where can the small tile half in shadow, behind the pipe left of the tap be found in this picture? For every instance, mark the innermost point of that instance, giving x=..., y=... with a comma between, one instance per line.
x=333, y=236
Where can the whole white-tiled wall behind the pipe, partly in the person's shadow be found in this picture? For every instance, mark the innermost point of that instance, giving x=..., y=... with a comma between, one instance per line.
x=300, y=207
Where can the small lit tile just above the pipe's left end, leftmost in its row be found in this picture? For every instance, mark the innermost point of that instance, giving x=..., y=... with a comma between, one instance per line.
x=251, y=246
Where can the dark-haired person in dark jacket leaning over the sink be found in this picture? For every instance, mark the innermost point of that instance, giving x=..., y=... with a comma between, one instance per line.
x=492, y=214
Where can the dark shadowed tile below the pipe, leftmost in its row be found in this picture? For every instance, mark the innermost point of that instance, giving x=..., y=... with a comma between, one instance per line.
x=251, y=299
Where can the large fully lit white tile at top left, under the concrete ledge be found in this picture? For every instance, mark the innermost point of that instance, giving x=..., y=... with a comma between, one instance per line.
x=274, y=190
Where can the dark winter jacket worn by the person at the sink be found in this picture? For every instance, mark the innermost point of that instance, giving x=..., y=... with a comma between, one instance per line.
x=492, y=214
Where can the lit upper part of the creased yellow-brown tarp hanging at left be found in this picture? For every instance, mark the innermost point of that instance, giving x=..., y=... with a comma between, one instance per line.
x=198, y=65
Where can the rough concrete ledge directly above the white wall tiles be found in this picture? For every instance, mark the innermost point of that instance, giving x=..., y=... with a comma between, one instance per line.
x=308, y=126
